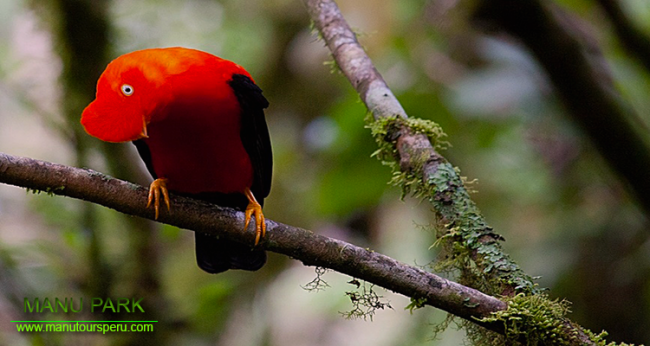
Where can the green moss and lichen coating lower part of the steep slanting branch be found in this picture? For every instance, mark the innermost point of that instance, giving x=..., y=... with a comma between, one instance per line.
x=471, y=249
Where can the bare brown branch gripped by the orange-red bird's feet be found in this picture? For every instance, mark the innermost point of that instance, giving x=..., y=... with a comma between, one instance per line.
x=310, y=248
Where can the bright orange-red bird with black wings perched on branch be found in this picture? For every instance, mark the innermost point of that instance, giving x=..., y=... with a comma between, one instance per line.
x=198, y=123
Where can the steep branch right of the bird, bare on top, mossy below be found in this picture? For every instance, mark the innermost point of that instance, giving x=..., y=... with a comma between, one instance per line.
x=410, y=146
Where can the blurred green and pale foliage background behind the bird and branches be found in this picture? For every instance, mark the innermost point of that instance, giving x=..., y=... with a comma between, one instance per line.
x=540, y=183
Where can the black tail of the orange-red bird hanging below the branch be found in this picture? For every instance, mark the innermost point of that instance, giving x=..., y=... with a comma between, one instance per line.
x=218, y=255
